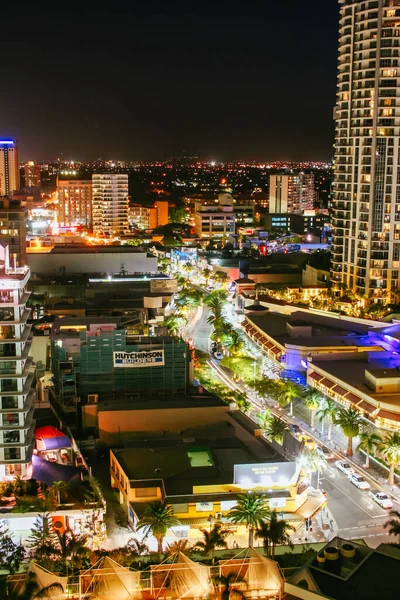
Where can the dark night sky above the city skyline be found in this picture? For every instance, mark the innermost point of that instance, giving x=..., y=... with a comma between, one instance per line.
x=252, y=80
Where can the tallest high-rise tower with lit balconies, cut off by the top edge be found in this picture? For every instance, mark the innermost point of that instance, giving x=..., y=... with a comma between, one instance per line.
x=366, y=193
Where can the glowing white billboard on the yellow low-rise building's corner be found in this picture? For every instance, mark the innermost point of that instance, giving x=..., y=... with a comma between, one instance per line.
x=266, y=475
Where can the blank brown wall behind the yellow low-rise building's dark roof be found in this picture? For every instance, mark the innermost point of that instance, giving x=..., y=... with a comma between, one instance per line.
x=117, y=425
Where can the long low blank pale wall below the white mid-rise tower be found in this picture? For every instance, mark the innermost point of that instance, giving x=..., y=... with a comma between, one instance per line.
x=135, y=262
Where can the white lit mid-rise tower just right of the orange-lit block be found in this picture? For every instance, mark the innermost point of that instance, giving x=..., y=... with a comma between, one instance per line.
x=110, y=204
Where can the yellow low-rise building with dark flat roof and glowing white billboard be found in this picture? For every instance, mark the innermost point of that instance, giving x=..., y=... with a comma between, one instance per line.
x=202, y=472
